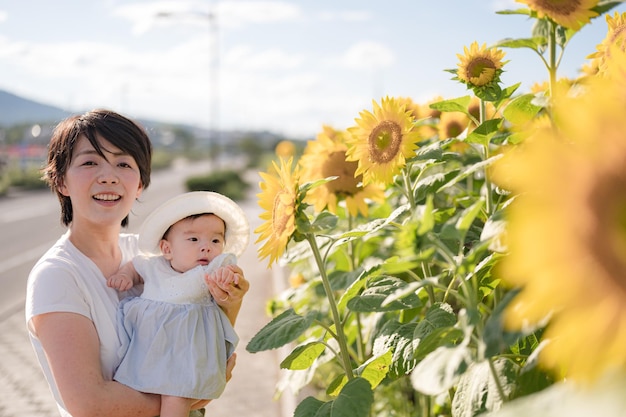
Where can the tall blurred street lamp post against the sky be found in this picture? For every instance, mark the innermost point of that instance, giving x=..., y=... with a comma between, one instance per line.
x=214, y=135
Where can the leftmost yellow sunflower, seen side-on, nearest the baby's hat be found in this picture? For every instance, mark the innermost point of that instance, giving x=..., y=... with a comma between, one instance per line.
x=278, y=197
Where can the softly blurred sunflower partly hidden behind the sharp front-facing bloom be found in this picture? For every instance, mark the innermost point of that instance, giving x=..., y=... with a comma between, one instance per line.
x=326, y=157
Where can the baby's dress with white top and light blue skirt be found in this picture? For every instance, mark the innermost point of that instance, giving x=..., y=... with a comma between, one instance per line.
x=175, y=338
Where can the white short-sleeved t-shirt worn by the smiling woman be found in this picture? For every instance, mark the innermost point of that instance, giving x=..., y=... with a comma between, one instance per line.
x=65, y=280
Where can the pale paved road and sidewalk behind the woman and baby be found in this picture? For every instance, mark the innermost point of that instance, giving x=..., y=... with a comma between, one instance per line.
x=30, y=224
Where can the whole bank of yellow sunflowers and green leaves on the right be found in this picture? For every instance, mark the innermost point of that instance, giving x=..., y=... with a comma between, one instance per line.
x=465, y=256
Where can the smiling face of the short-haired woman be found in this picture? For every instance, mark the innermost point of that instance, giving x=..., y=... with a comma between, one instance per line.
x=102, y=190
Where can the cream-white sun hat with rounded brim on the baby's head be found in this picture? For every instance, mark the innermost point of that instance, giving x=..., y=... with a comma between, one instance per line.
x=188, y=204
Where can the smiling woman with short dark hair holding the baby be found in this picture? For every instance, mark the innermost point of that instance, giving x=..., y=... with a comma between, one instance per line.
x=98, y=165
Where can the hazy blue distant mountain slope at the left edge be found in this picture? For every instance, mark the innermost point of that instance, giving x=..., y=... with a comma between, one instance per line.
x=18, y=110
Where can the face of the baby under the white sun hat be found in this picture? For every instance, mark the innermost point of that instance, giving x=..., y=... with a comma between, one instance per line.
x=194, y=241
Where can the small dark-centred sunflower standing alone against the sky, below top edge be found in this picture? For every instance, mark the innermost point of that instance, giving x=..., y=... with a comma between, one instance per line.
x=479, y=66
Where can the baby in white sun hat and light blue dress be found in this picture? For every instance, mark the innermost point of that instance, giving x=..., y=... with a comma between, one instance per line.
x=175, y=338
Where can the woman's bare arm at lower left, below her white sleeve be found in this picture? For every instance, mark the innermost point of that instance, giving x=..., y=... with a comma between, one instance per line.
x=72, y=347
